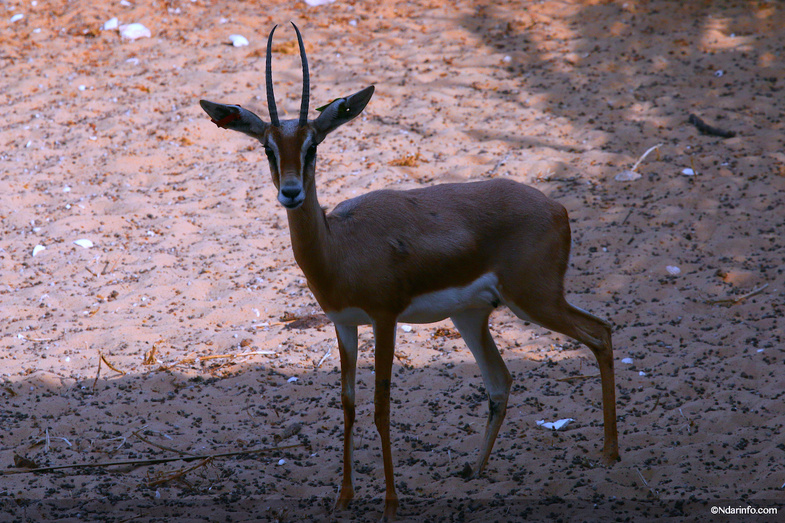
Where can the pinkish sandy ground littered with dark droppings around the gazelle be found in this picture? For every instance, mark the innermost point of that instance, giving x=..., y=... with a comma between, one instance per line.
x=212, y=343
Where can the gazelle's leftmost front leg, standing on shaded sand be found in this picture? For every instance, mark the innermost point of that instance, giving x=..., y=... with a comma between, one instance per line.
x=347, y=347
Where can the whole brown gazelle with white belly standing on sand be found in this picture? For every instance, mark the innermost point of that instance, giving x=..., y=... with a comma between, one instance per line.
x=453, y=251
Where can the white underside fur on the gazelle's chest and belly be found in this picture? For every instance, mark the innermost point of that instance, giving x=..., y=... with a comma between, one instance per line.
x=482, y=293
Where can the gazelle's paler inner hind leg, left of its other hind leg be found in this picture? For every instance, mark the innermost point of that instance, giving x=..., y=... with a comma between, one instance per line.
x=473, y=326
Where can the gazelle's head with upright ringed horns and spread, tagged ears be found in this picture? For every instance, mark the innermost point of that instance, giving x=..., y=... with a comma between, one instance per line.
x=290, y=145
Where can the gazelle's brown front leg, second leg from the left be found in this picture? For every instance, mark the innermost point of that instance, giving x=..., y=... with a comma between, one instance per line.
x=384, y=334
